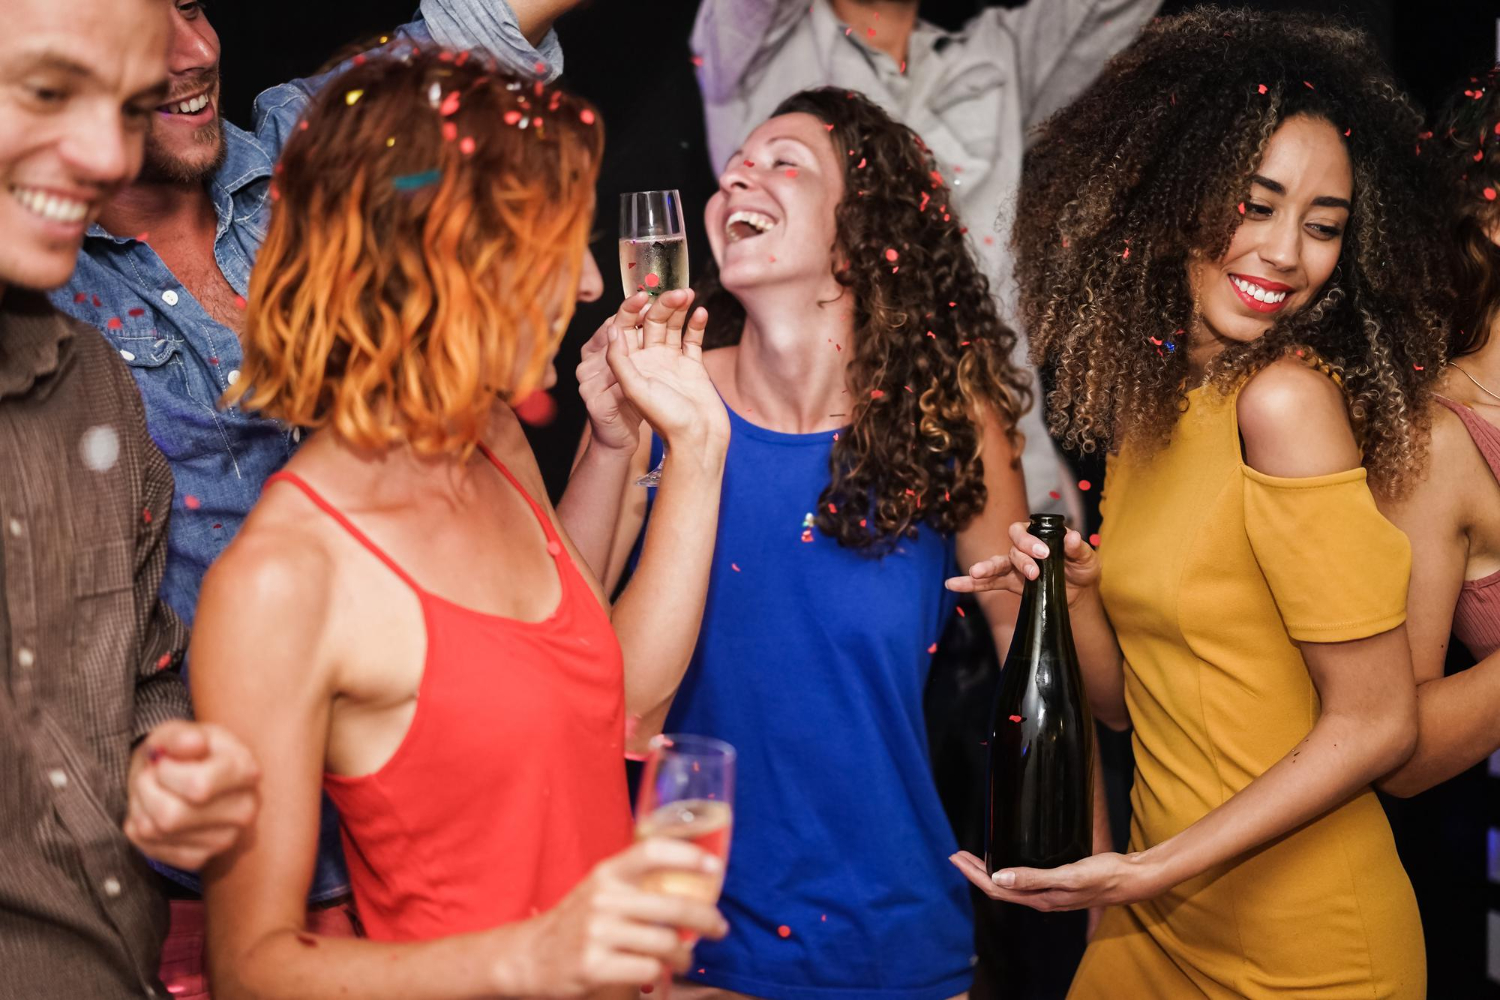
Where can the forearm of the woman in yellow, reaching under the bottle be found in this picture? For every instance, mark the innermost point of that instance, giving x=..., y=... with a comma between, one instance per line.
x=1339, y=758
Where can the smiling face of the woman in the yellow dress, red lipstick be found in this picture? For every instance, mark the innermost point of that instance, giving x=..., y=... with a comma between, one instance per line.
x=1289, y=242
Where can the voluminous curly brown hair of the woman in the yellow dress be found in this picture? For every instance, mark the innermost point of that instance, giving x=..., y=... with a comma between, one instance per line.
x=1148, y=167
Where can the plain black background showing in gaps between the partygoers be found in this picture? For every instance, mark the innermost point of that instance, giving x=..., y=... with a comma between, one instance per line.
x=635, y=67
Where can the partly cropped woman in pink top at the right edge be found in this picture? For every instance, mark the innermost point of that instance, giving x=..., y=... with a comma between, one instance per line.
x=1454, y=515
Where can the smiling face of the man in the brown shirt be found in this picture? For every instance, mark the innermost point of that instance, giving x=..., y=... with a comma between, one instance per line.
x=79, y=85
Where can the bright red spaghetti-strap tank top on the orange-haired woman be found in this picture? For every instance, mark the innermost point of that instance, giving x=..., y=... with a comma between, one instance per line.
x=511, y=782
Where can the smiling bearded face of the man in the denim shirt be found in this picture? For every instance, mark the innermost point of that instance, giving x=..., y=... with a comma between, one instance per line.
x=187, y=139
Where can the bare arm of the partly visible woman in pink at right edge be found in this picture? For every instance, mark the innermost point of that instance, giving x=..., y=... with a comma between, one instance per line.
x=1459, y=717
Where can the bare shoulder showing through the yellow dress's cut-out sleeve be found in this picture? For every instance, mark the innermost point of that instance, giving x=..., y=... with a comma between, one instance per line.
x=1295, y=424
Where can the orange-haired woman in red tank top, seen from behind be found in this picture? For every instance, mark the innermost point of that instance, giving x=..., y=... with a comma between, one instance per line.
x=403, y=621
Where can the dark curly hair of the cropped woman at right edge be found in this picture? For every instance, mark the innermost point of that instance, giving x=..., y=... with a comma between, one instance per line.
x=1466, y=151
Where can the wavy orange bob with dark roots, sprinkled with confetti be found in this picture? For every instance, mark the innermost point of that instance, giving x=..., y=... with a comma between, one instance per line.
x=424, y=256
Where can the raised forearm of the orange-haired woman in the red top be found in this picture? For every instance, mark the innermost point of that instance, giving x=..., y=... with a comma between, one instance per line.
x=658, y=617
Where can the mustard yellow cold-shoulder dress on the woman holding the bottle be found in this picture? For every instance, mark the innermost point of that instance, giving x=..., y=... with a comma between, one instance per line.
x=1213, y=573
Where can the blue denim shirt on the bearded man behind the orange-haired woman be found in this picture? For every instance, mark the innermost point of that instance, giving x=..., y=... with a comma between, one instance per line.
x=184, y=359
